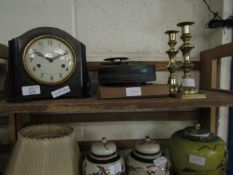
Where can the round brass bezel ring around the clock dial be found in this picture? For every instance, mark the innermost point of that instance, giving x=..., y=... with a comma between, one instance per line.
x=75, y=56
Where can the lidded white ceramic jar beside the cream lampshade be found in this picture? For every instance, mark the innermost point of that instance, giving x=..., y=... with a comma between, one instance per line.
x=103, y=159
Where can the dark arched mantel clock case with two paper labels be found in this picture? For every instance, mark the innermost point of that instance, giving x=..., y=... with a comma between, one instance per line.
x=78, y=83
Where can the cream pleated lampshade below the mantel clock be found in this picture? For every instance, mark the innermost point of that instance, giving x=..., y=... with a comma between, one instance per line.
x=45, y=150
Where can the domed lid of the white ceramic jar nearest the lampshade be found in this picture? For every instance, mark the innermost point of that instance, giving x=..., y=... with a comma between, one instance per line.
x=103, y=148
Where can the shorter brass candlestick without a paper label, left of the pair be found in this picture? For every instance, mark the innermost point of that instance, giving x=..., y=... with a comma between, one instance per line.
x=172, y=67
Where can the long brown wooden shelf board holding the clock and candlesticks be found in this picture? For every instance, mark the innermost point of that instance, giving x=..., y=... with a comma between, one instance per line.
x=215, y=98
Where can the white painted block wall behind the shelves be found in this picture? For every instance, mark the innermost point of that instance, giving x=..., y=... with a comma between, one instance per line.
x=130, y=28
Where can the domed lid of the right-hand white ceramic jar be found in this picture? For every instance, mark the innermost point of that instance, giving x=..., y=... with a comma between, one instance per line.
x=147, y=146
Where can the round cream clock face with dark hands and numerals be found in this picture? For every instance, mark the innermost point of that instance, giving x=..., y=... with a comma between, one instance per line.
x=49, y=60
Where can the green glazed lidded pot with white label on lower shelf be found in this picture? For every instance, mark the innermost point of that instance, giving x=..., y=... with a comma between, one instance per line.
x=195, y=151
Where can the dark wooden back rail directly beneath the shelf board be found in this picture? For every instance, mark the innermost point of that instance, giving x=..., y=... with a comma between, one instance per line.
x=115, y=116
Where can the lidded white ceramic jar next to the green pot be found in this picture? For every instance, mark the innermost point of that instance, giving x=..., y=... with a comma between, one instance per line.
x=147, y=159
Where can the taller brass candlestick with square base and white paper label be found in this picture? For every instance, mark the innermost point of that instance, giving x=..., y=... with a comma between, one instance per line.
x=187, y=89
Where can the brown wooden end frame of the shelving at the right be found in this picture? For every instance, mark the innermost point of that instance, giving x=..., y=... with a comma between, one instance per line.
x=210, y=66
